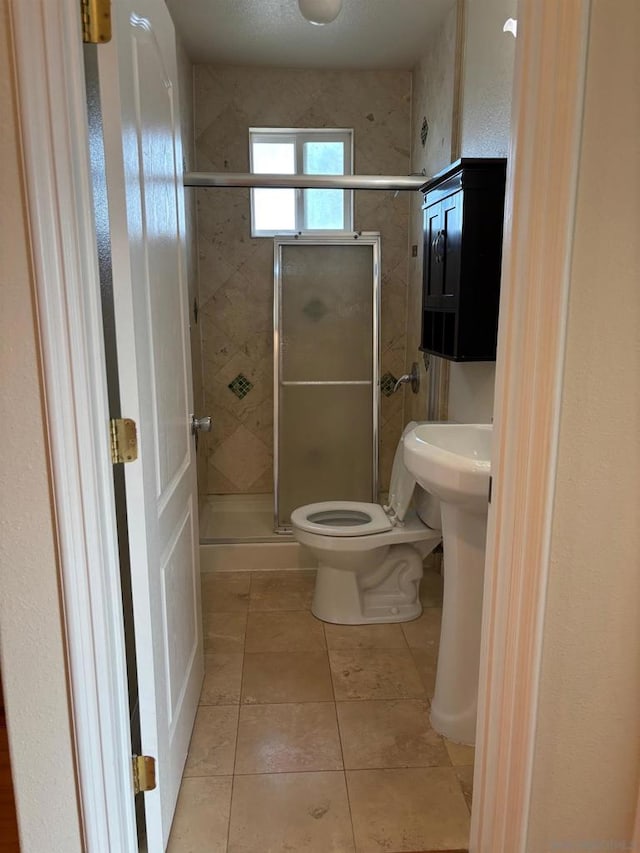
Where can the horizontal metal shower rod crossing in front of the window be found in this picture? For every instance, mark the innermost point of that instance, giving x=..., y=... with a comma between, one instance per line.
x=330, y=182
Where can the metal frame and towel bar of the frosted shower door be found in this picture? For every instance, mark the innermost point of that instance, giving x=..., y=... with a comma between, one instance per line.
x=369, y=238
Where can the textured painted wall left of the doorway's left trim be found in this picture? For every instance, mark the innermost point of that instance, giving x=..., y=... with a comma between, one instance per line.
x=32, y=647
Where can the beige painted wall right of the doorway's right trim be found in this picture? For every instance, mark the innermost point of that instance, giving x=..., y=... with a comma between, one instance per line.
x=587, y=758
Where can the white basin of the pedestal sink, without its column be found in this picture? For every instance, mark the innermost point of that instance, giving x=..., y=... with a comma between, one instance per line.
x=451, y=461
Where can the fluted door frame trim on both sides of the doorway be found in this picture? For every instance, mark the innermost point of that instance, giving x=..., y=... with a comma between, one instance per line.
x=552, y=44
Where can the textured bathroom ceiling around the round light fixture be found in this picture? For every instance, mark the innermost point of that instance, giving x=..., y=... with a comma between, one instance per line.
x=367, y=34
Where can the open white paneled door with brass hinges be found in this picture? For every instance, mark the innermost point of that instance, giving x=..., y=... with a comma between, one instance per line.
x=138, y=90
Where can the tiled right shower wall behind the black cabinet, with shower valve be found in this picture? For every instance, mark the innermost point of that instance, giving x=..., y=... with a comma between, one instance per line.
x=433, y=99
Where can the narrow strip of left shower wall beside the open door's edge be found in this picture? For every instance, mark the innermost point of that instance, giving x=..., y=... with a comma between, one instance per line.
x=185, y=86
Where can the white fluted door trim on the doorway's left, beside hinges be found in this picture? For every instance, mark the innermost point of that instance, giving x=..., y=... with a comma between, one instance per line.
x=52, y=105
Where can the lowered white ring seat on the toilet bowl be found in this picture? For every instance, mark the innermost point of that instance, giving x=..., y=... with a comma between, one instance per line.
x=341, y=518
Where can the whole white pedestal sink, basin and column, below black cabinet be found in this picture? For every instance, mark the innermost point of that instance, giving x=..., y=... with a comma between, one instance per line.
x=453, y=463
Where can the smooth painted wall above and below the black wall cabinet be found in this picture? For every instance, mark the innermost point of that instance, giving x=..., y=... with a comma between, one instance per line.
x=484, y=132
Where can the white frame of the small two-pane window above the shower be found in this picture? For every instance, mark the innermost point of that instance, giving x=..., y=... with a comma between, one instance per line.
x=298, y=136
